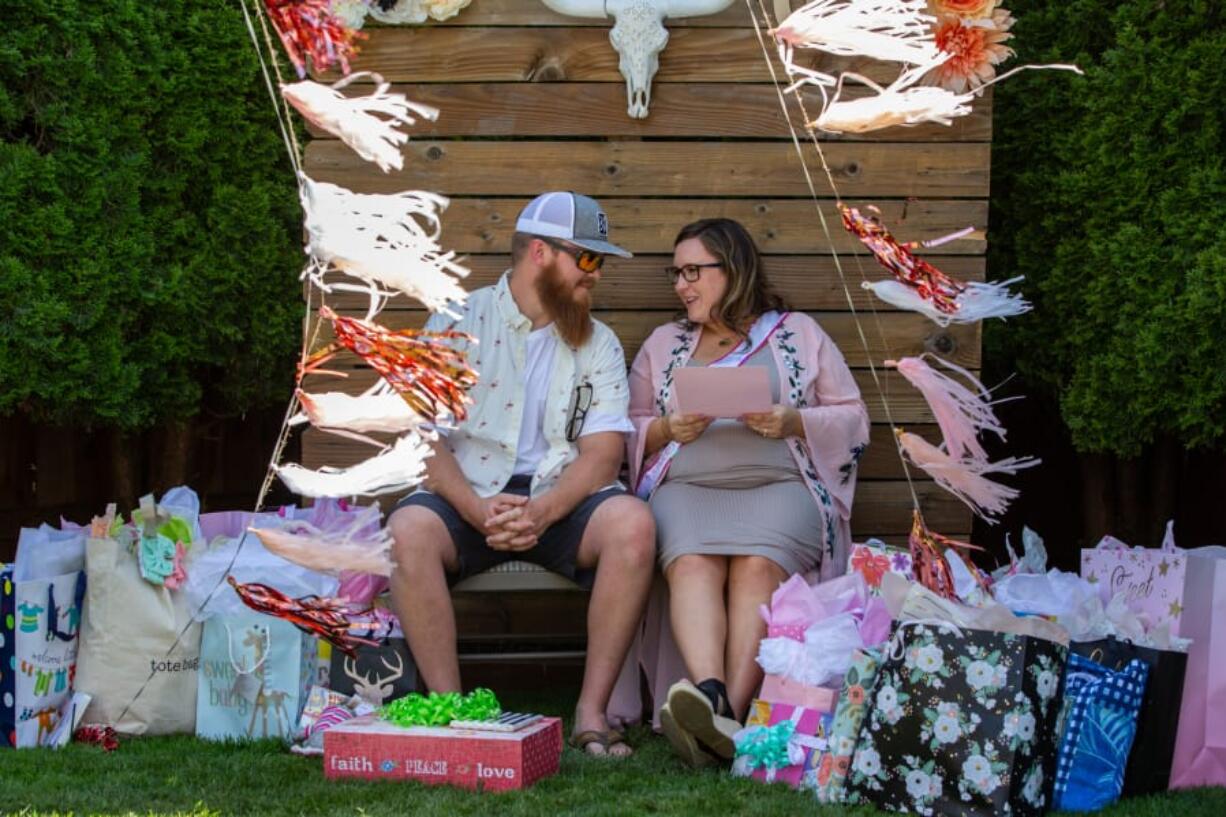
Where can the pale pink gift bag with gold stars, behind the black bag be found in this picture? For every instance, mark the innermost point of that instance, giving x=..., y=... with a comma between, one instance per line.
x=1152, y=580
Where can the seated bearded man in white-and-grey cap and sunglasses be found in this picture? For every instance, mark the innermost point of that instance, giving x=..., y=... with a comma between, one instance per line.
x=533, y=473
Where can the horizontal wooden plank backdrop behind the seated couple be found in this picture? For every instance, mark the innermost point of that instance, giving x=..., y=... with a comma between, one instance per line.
x=534, y=101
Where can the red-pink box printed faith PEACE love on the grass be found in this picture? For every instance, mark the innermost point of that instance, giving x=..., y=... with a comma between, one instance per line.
x=375, y=750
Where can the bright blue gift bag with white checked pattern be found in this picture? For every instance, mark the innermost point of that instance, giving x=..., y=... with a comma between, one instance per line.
x=1098, y=726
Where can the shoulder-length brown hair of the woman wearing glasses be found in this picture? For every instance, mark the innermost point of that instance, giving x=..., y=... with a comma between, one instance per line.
x=750, y=294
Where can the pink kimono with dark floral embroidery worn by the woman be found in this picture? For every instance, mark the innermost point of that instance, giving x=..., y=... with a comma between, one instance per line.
x=813, y=378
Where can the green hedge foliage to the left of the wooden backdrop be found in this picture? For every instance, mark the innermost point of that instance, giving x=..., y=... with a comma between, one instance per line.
x=149, y=219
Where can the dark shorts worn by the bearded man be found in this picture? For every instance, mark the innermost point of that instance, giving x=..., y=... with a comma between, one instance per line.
x=556, y=550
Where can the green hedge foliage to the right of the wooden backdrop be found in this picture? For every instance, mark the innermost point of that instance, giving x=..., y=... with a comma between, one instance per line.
x=1110, y=197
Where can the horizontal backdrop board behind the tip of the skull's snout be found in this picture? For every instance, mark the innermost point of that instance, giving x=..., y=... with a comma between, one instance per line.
x=557, y=110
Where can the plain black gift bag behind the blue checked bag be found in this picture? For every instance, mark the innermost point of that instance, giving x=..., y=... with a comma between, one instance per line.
x=1149, y=765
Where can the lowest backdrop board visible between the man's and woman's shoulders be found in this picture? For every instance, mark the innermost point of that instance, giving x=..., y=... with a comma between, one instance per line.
x=893, y=336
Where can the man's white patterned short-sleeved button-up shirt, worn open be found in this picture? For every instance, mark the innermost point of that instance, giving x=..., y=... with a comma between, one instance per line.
x=594, y=375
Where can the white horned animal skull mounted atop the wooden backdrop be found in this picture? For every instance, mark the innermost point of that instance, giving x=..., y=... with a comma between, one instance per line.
x=639, y=36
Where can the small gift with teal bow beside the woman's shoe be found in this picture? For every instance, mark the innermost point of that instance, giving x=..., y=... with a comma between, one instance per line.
x=780, y=743
